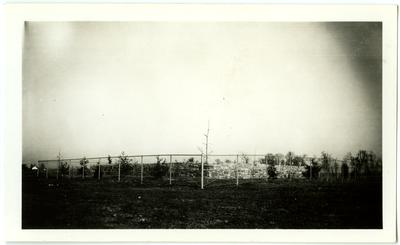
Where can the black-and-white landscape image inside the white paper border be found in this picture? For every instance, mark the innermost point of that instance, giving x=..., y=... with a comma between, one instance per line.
x=185, y=124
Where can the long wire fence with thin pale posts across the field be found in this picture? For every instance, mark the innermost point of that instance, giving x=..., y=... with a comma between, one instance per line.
x=200, y=169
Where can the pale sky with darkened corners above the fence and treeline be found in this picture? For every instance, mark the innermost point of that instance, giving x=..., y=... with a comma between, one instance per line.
x=98, y=88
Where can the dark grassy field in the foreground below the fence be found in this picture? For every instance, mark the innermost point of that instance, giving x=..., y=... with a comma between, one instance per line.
x=284, y=204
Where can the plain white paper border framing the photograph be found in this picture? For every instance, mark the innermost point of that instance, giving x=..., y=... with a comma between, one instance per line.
x=16, y=14
